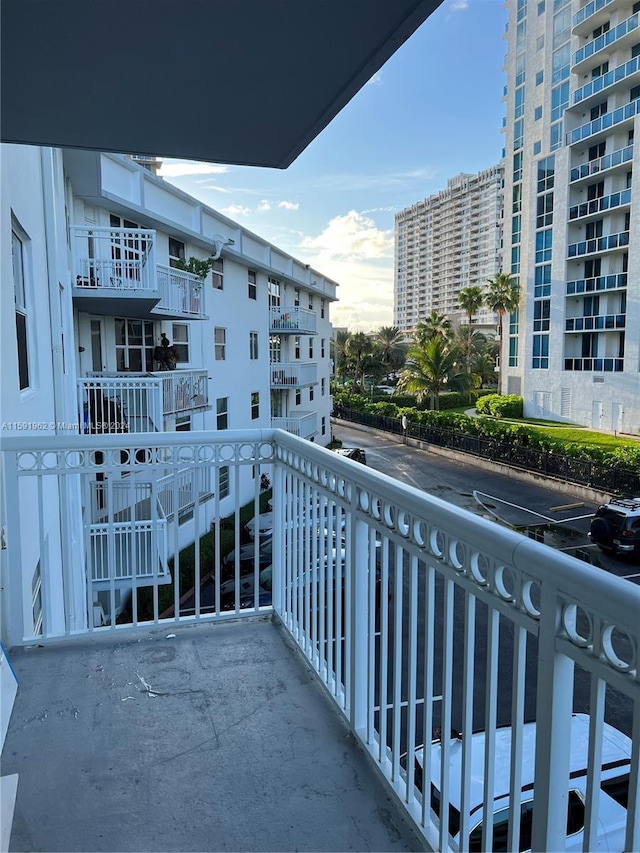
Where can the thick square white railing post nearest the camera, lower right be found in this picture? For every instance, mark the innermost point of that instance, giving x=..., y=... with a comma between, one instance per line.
x=553, y=731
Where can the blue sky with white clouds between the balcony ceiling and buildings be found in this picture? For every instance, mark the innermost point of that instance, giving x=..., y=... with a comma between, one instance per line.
x=433, y=110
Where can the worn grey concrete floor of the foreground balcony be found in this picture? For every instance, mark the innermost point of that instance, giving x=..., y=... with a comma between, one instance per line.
x=217, y=738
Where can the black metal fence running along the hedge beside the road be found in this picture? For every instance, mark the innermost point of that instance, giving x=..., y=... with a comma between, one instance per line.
x=583, y=472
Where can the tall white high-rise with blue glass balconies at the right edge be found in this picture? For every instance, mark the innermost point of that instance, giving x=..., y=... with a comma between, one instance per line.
x=572, y=210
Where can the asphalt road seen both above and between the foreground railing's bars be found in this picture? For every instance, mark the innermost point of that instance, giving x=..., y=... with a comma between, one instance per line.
x=455, y=482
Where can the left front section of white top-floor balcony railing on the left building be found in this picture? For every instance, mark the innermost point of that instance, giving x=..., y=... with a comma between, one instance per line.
x=112, y=259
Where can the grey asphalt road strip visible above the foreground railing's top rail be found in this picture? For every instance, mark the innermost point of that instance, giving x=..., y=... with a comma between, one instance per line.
x=516, y=503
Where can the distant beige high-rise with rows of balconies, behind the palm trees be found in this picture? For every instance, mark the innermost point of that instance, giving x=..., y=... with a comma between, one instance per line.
x=447, y=242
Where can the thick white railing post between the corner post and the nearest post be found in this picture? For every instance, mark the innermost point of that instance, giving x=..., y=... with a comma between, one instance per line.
x=360, y=566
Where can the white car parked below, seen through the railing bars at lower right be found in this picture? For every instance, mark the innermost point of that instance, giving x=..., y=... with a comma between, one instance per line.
x=616, y=762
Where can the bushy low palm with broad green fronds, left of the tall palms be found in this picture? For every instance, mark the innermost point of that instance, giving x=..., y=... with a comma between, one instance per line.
x=432, y=368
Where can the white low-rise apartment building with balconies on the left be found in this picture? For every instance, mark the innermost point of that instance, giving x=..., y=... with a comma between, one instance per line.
x=108, y=327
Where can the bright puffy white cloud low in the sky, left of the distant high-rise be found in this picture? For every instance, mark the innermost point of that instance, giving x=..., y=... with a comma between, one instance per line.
x=352, y=237
